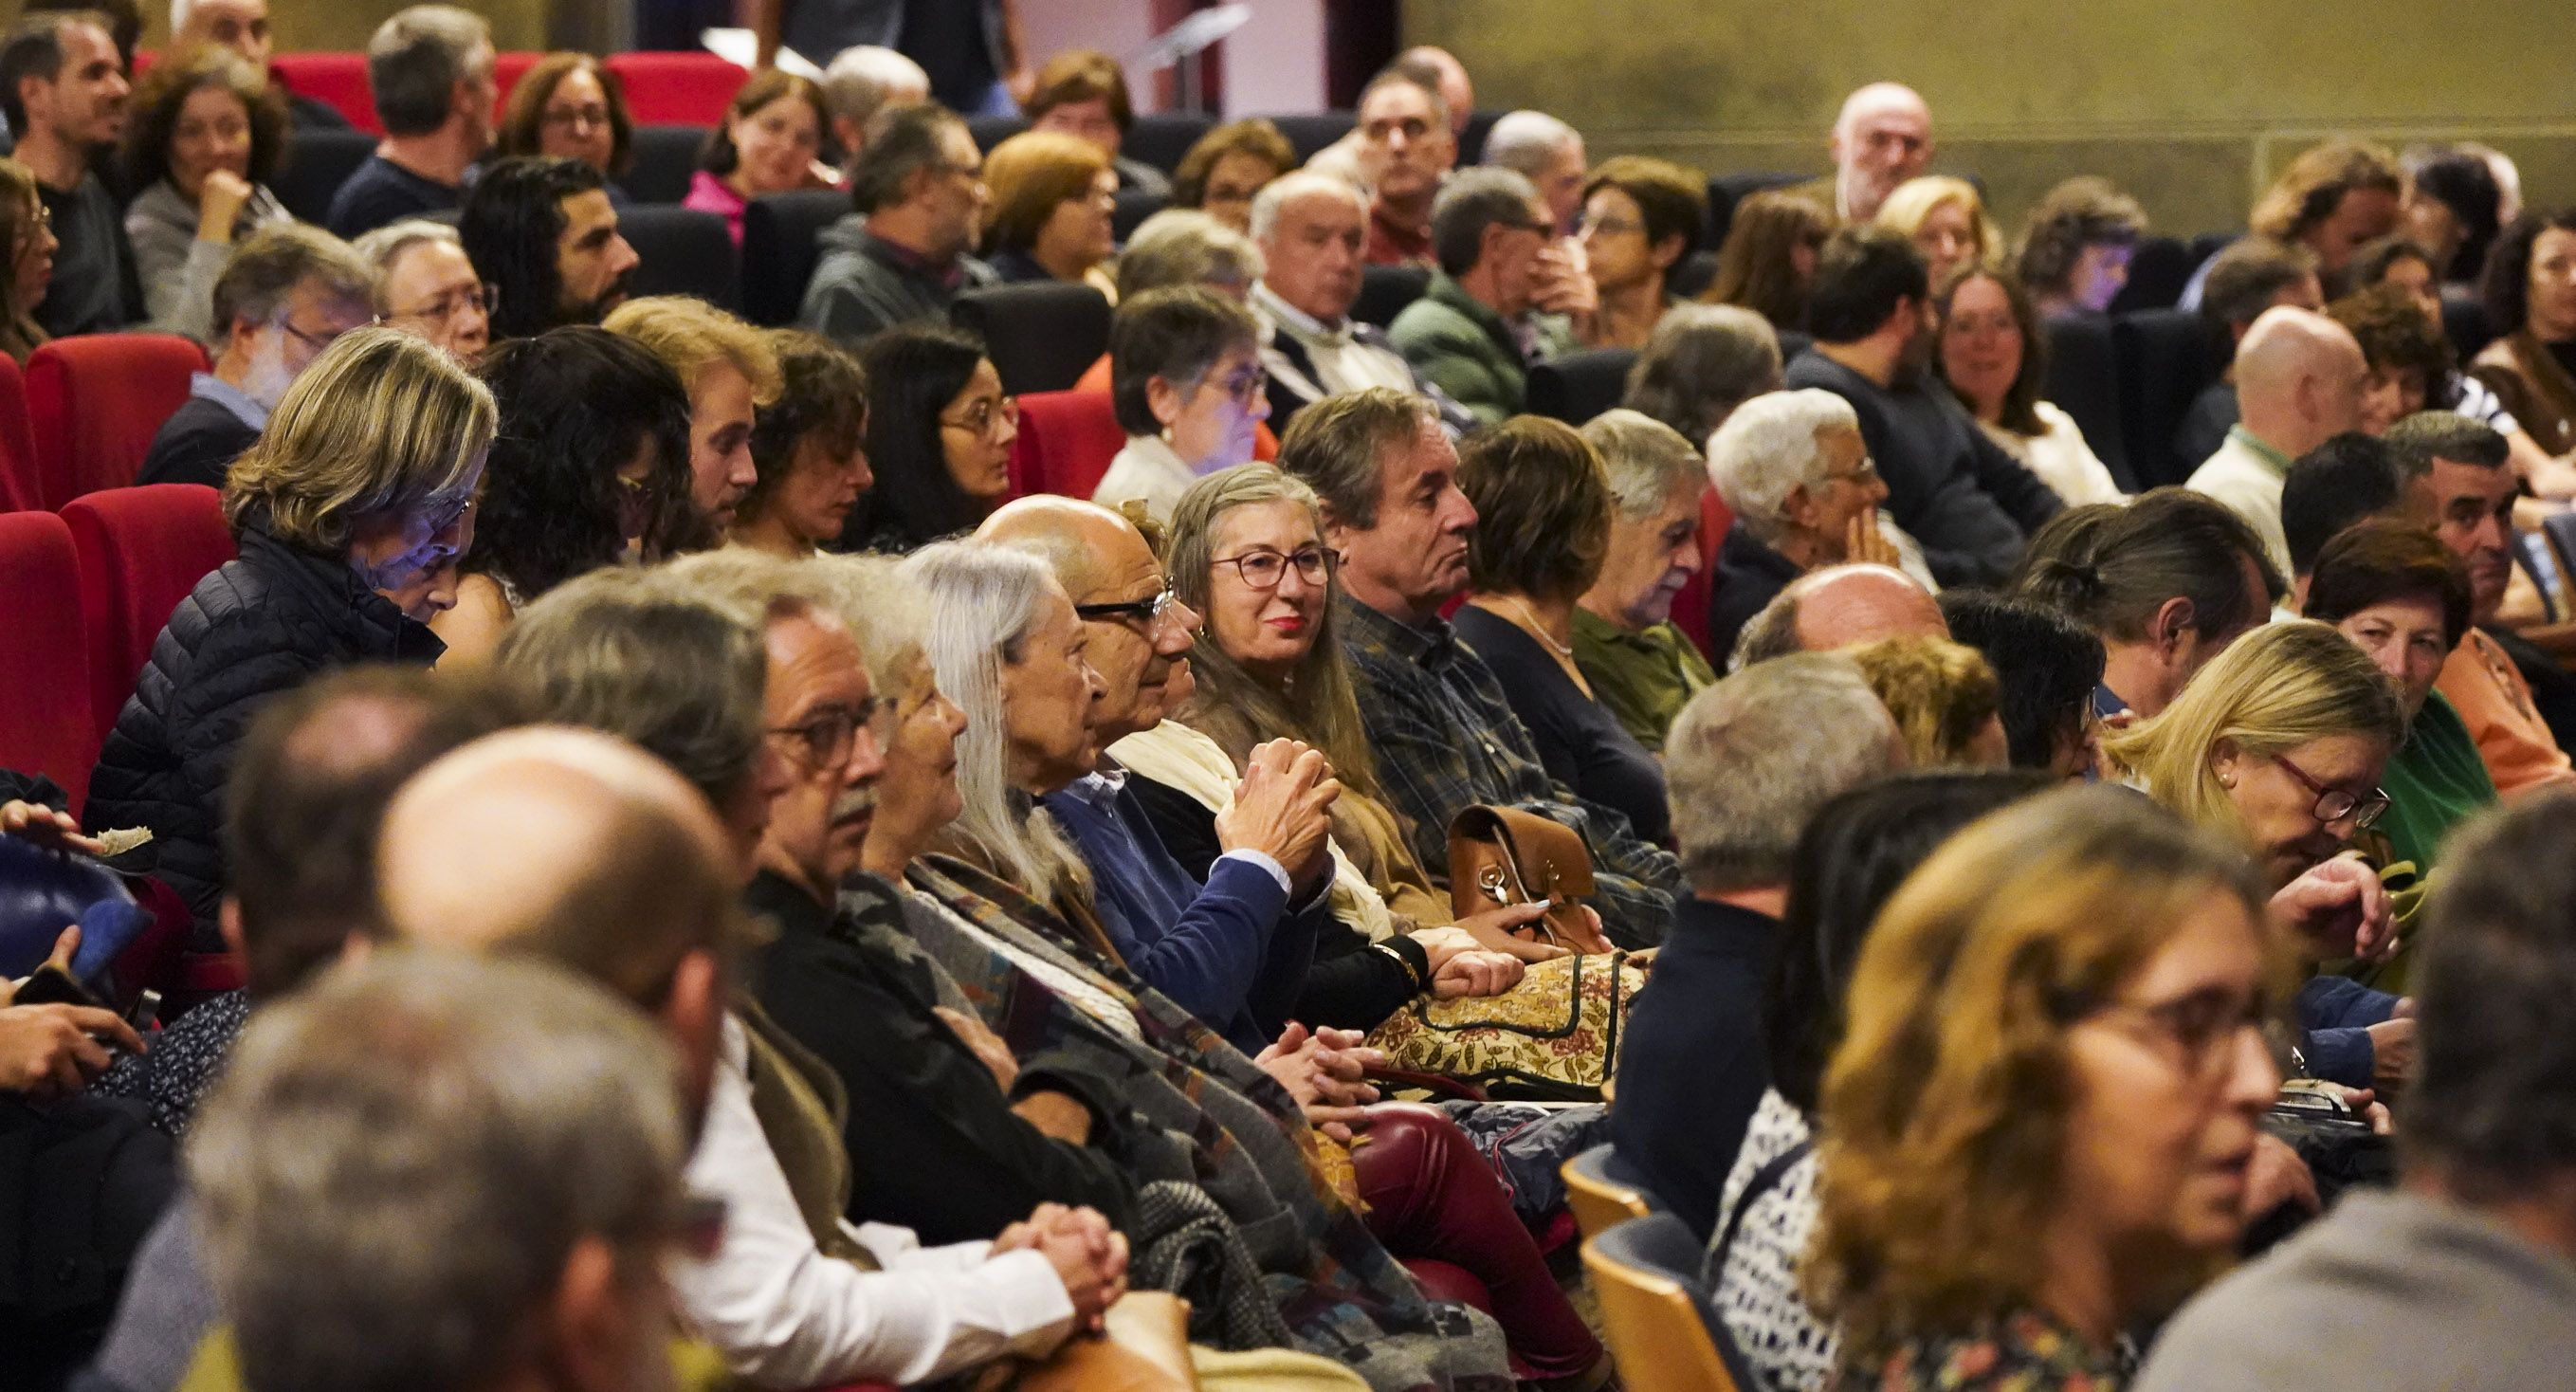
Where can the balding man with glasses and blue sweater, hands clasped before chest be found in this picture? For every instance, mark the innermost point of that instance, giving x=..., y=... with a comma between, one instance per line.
x=1230, y=942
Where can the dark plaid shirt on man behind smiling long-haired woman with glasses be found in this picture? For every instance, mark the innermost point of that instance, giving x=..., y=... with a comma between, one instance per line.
x=1446, y=739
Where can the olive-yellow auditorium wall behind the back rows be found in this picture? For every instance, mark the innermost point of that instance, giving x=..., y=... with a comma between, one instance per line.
x=2188, y=104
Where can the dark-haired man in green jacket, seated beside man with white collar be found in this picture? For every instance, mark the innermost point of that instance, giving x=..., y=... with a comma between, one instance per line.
x=1477, y=329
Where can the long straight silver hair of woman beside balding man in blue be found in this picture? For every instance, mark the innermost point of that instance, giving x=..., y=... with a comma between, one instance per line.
x=983, y=607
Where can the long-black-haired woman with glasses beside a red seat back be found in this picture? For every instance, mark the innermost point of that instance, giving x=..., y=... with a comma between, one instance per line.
x=939, y=440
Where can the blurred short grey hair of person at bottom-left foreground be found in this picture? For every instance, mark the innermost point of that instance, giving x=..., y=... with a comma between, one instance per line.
x=403, y=1156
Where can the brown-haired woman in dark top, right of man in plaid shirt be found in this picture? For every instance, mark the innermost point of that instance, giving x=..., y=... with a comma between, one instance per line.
x=1542, y=540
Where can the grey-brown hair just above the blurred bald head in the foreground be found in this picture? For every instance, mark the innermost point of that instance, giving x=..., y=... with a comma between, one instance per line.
x=668, y=666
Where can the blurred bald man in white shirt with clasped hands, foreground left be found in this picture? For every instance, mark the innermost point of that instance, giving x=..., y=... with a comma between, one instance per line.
x=601, y=857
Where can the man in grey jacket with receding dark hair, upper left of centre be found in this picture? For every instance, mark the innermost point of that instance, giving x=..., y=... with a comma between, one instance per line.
x=903, y=256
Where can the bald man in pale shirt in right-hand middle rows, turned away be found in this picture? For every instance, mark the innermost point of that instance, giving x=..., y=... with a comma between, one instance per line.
x=2299, y=383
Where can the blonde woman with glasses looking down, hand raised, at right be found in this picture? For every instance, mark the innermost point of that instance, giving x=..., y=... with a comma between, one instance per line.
x=2281, y=744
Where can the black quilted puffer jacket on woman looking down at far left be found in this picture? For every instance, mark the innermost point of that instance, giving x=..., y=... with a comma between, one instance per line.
x=254, y=630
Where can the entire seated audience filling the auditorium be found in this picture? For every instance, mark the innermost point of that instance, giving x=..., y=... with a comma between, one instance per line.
x=645, y=764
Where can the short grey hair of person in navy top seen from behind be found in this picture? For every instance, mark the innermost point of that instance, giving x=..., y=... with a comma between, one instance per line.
x=1756, y=757
